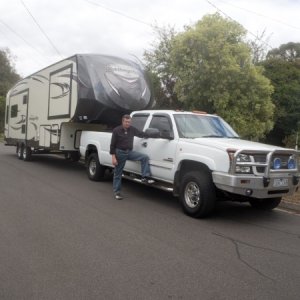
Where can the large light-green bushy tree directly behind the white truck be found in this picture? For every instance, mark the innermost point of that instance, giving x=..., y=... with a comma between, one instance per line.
x=211, y=69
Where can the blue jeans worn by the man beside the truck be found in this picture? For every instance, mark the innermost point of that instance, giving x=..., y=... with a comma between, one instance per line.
x=122, y=156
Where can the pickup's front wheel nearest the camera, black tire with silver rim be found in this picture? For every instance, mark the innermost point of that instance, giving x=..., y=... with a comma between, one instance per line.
x=198, y=194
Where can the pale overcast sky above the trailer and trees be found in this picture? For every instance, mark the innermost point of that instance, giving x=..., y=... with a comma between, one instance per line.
x=41, y=32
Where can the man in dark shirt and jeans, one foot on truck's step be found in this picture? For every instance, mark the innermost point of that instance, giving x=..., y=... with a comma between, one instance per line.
x=121, y=150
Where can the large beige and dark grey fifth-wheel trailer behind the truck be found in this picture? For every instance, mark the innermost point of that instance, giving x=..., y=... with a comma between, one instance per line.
x=47, y=111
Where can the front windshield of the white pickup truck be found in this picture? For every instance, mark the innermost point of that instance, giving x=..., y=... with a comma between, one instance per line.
x=203, y=126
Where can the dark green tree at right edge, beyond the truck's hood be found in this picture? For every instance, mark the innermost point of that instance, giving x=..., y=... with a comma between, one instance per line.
x=282, y=67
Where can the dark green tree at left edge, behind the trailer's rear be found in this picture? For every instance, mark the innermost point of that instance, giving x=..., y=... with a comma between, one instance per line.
x=8, y=77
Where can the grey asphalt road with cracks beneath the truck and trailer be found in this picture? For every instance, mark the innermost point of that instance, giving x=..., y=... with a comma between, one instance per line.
x=65, y=237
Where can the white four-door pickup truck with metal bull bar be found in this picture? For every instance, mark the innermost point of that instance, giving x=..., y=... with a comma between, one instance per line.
x=201, y=159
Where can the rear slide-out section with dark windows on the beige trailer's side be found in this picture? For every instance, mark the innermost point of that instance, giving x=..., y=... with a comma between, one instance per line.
x=18, y=115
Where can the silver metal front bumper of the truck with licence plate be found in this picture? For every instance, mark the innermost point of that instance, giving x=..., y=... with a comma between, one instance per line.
x=277, y=185
